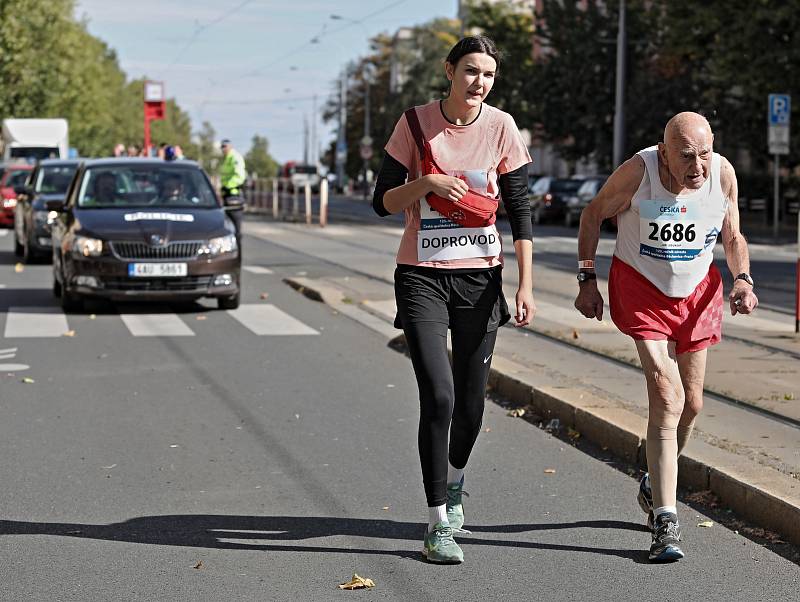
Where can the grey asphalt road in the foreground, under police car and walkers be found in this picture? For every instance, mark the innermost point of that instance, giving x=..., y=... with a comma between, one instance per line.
x=230, y=462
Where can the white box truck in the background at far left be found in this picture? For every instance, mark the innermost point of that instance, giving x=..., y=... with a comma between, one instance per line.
x=34, y=139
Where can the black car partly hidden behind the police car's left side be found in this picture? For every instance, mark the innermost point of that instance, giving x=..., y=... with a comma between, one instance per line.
x=48, y=182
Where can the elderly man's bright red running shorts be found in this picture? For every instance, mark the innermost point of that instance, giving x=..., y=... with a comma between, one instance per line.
x=643, y=312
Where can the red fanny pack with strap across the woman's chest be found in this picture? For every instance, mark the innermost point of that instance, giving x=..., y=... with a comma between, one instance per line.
x=473, y=210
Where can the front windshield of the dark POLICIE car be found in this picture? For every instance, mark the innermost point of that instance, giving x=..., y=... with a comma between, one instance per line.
x=117, y=186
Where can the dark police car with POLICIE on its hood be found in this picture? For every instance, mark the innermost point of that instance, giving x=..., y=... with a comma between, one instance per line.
x=147, y=229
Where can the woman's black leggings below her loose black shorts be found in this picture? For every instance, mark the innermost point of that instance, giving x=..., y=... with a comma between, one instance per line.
x=450, y=398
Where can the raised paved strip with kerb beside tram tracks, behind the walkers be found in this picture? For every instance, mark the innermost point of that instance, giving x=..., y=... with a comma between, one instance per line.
x=750, y=460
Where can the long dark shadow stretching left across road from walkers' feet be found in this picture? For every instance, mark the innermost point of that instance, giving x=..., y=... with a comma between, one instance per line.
x=228, y=532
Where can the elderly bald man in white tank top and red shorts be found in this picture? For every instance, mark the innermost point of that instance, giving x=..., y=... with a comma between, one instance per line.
x=671, y=202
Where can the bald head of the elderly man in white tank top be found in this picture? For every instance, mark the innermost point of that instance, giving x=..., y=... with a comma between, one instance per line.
x=687, y=150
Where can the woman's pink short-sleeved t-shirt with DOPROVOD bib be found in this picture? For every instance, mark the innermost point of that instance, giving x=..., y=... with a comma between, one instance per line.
x=478, y=152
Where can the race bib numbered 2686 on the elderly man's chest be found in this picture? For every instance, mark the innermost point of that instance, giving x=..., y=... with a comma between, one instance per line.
x=670, y=230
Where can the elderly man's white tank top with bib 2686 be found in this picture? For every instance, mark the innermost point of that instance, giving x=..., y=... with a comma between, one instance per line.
x=669, y=238
